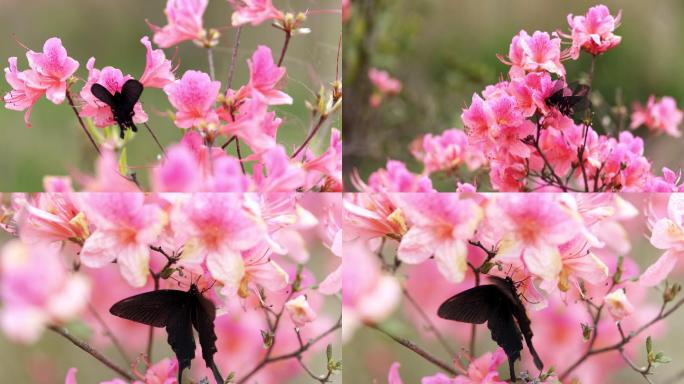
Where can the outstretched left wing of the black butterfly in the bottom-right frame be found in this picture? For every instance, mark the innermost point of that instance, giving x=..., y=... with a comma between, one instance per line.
x=470, y=306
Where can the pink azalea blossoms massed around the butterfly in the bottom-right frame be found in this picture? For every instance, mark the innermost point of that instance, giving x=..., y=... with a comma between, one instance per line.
x=562, y=249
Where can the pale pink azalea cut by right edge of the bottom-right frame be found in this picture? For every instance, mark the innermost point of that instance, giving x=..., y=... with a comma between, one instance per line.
x=667, y=233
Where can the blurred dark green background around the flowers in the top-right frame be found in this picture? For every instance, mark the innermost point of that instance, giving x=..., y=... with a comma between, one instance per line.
x=443, y=51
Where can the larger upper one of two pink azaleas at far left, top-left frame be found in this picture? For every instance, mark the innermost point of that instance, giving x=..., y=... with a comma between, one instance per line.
x=51, y=69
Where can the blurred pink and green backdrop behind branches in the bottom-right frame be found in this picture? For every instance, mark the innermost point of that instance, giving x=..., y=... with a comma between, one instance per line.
x=368, y=354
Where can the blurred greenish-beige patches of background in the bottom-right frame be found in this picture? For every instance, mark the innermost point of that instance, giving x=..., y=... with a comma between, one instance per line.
x=368, y=354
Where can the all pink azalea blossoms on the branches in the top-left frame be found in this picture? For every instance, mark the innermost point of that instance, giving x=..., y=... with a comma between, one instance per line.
x=201, y=108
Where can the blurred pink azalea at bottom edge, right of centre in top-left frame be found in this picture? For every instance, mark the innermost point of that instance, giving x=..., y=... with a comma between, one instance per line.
x=276, y=172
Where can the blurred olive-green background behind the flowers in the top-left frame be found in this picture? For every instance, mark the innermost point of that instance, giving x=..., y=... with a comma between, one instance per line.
x=111, y=31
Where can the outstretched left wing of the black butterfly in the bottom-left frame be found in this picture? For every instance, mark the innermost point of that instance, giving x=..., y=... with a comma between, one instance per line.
x=151, y=308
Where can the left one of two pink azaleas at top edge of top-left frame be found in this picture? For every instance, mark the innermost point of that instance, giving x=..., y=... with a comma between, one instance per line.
x=184, y=22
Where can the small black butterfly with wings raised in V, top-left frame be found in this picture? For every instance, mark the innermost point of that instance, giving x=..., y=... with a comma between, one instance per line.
x=122, y=103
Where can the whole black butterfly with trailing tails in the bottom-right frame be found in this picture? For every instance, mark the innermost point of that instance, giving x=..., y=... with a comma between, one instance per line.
x=497, y=304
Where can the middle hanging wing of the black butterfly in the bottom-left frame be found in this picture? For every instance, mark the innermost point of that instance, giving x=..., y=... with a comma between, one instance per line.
x=180, y=337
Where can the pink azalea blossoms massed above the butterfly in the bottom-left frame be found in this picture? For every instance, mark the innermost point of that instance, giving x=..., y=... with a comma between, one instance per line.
x=246, y=243
